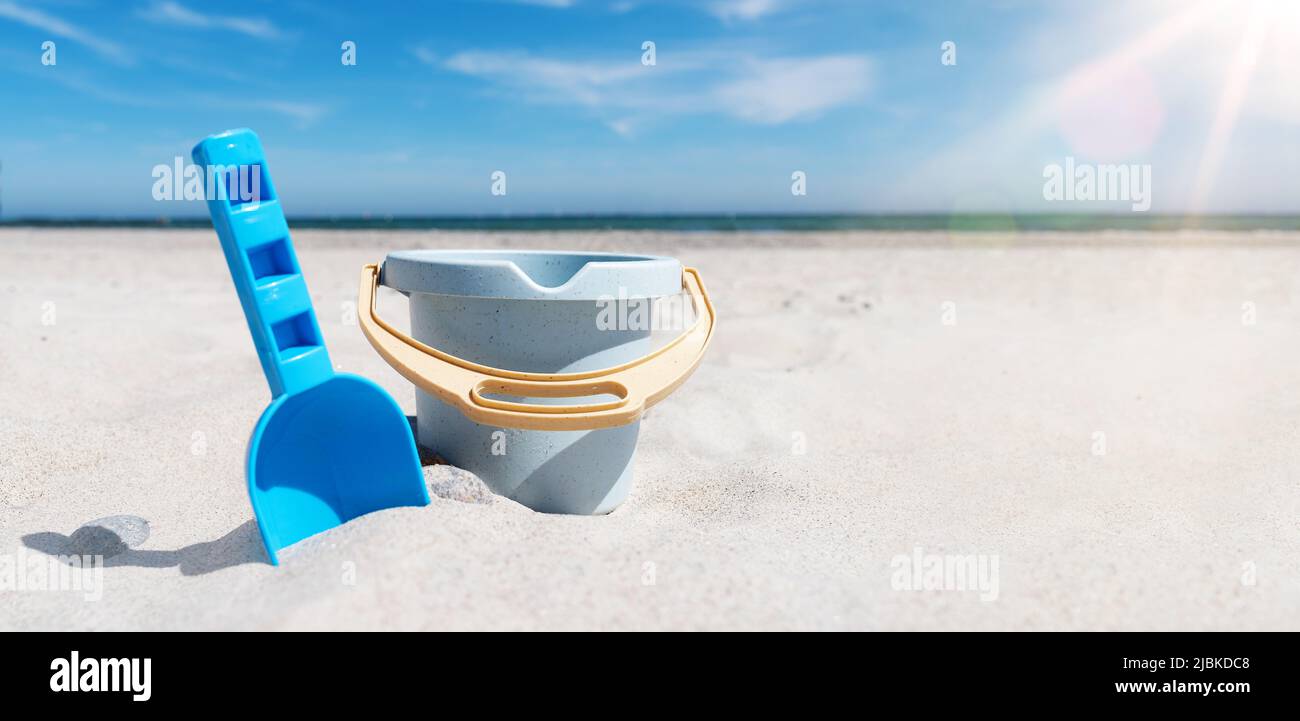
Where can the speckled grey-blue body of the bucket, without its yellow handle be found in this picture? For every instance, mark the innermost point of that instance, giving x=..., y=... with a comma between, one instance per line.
x=532, y=311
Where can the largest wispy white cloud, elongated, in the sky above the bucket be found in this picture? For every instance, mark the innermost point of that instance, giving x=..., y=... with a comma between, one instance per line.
x=623, y=94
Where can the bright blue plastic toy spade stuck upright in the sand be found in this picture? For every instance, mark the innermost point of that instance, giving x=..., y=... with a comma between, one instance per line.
x=331, y=446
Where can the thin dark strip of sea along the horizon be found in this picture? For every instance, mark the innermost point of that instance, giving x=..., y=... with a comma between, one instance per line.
x=972, y=223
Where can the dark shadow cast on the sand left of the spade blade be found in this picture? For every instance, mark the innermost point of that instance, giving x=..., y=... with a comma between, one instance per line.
x=241, y=546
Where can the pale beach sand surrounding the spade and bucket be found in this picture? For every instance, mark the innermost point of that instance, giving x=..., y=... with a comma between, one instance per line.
x=1107, y=420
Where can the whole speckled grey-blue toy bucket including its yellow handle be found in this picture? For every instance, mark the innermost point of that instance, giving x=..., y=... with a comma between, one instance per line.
x=532, y=370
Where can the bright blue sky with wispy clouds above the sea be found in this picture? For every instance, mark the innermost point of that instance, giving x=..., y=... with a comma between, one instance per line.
x=743, y=94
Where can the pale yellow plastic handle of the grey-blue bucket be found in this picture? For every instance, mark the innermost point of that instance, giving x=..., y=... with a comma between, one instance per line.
x=462, y=384
